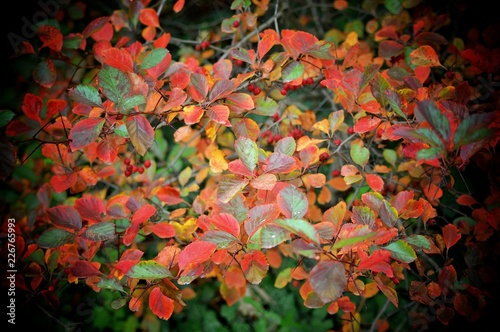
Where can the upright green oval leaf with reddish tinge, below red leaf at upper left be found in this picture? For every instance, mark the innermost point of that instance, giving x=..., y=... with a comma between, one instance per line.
x=114, y=84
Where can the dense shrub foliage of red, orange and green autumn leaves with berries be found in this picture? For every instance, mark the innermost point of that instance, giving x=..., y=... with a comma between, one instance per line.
x=348, y=154
